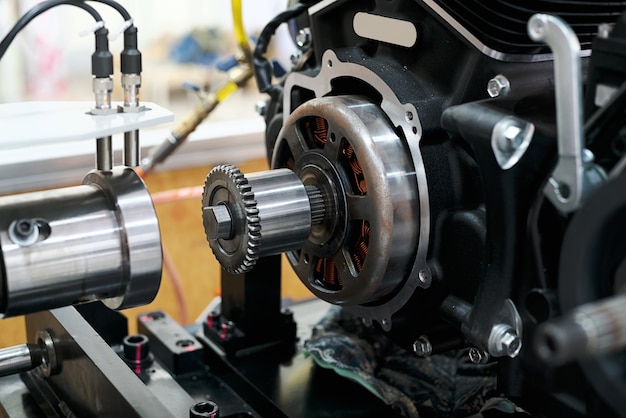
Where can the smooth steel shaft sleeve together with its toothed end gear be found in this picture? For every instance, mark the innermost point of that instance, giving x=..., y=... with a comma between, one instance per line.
x=268, y=213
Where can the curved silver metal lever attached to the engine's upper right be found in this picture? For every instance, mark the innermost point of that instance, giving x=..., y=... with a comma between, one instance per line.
x=574, y=175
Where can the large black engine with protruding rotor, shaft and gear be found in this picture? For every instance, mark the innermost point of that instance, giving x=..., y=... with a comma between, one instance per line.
x=438, y=169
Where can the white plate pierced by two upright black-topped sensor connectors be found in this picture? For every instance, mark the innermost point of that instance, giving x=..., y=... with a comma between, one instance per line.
x=35, y=123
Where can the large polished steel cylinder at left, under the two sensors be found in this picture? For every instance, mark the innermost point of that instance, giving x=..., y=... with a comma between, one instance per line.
x=96, y=241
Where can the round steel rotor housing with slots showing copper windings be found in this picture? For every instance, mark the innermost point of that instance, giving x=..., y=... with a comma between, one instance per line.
x=389, y=205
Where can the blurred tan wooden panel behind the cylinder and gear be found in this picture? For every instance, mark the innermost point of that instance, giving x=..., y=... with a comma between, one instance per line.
x=185, y=244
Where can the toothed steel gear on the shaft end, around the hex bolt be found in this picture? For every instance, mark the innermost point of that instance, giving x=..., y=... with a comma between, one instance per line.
x=238, y=250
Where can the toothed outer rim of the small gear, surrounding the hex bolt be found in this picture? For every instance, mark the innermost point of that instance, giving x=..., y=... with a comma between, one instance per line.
x=245, y=197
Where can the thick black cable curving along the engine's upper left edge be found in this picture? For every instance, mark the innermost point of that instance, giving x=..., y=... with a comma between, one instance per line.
x=263, y=69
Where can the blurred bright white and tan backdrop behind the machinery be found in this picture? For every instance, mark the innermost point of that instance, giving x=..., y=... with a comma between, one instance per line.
x=182, y=42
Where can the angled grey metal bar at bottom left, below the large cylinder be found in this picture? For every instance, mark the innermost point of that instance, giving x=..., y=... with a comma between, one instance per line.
x=94, y=381
